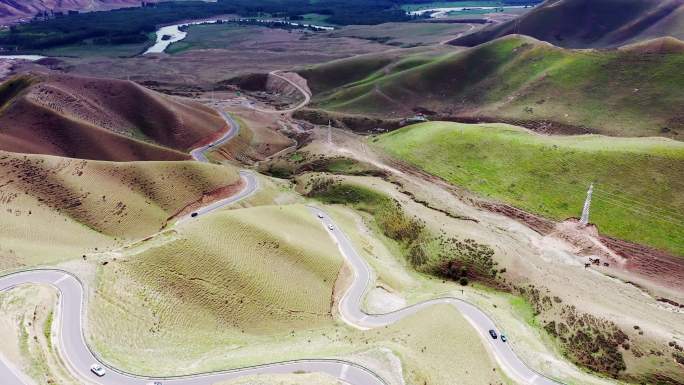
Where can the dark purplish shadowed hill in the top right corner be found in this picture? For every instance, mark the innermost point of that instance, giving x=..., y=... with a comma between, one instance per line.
x=591, y=23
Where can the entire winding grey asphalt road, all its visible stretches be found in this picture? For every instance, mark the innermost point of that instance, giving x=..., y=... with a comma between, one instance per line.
x=78, y=356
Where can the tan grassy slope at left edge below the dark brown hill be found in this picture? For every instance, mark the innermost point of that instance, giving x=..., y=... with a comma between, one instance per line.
x=57, y=208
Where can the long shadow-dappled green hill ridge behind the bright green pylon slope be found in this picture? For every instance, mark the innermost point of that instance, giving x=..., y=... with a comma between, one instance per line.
x=635, y=91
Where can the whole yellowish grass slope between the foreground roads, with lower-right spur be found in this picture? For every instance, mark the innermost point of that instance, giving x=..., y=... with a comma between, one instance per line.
x=255, y=285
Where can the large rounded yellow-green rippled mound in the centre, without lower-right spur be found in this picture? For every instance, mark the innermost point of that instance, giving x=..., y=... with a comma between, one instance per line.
x=226, y=279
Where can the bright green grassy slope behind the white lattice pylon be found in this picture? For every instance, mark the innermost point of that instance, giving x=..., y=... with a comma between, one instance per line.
x=638, y=181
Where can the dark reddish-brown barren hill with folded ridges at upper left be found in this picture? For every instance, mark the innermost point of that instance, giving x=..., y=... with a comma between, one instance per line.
x=100, y=119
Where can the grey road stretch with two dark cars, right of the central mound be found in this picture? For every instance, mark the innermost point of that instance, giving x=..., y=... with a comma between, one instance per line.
x=350, y=309
